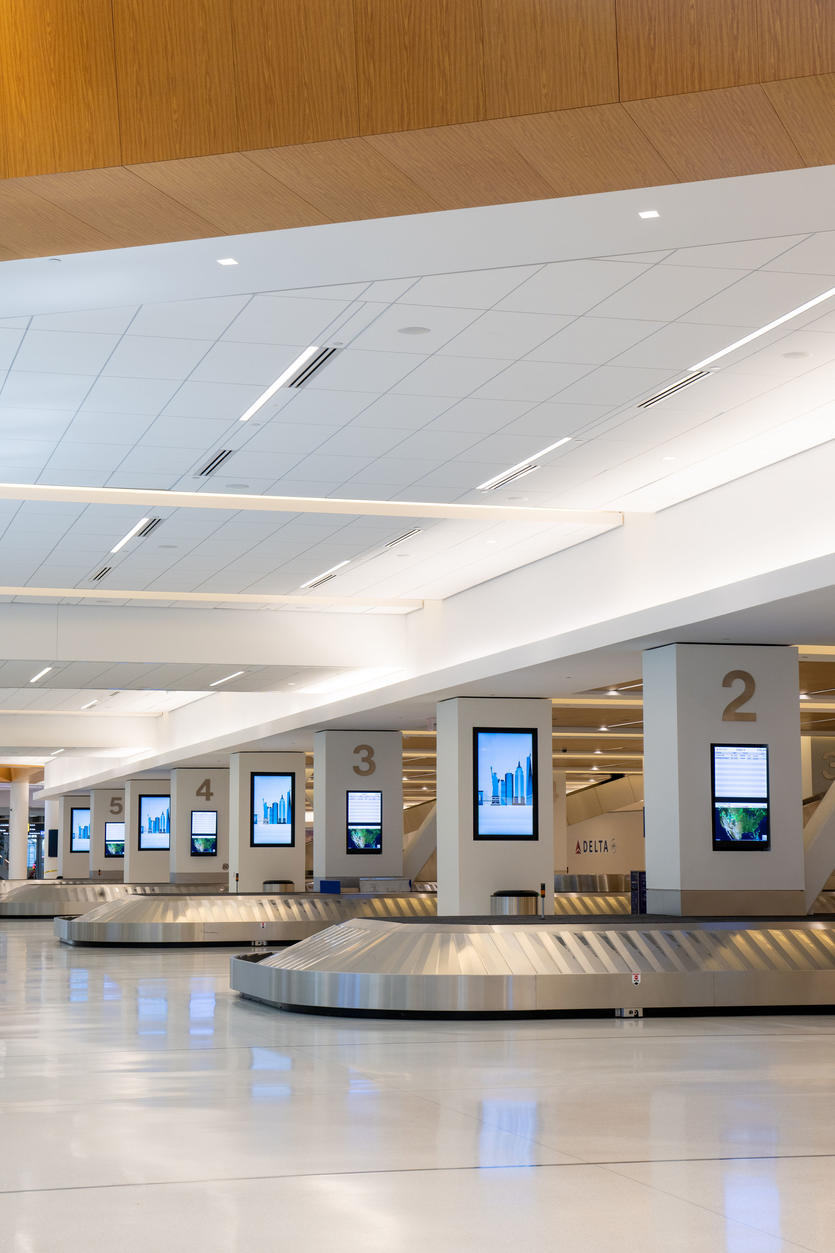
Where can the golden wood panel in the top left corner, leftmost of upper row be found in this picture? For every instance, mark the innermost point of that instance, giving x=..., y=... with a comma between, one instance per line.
x=58, y=100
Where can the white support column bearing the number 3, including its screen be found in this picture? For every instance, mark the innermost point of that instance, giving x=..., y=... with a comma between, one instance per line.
x=364, y=764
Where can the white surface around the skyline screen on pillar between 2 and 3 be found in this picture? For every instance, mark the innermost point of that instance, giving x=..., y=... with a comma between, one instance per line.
x=471, y=870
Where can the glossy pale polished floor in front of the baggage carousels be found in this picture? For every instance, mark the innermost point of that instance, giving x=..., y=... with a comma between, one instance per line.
x=146, y=1108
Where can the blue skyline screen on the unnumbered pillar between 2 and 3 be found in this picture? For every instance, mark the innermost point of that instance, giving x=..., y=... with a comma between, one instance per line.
x=505, y=785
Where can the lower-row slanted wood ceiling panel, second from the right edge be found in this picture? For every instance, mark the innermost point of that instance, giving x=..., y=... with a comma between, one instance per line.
x=718, y=135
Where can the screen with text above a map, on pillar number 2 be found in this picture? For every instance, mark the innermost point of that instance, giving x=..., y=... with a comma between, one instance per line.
x=740, y=801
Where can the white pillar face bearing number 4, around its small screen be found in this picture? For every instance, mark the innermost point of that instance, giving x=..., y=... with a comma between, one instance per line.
x=185, y=784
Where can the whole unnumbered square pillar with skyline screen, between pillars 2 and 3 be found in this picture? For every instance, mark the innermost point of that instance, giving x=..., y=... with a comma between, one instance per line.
x=470, y=869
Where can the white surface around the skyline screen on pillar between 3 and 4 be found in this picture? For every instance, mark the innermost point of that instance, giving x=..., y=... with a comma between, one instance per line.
x=255, y=866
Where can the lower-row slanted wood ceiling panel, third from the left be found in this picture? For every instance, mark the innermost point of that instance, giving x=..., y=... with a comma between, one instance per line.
x=234, y=194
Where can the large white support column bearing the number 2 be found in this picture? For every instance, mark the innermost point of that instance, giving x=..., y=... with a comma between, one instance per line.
x=696, y=696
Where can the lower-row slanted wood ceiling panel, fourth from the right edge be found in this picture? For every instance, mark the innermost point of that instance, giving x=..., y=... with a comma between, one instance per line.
x=465, y=166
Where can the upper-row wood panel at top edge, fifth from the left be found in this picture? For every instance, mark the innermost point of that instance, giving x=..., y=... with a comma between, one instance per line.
x=549, y=55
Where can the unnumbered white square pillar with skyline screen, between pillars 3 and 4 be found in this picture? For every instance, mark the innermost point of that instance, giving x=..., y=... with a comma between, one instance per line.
x=251, y=858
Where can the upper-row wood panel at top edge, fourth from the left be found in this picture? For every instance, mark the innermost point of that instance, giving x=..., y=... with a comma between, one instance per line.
x=419, y=63
